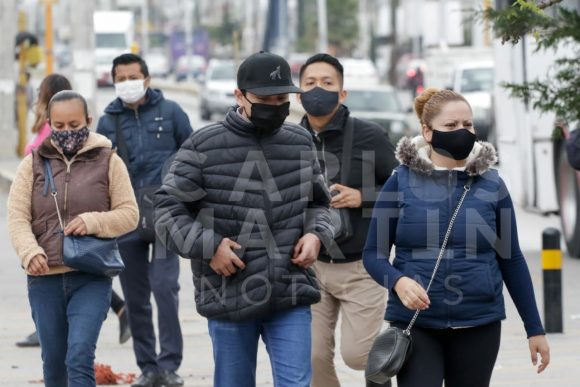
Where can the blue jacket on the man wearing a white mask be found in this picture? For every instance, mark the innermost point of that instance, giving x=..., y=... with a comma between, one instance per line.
x=153, y=133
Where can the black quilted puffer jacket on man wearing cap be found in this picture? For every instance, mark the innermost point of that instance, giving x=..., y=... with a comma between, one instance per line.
x=265, y=192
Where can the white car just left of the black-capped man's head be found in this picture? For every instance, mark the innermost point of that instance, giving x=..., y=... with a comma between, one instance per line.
x=217, y=91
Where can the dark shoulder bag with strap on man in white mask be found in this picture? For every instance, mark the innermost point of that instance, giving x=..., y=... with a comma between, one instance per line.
x=144, y=196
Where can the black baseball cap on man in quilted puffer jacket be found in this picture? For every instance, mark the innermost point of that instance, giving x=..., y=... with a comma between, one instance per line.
x=265, y=74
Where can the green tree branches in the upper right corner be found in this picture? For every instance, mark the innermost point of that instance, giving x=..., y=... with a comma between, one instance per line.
x=559, y=26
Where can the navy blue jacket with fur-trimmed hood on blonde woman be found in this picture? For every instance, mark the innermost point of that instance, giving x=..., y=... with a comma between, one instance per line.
x=413, y=213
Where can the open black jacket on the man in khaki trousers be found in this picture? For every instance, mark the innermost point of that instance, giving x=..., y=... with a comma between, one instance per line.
x=372, y=162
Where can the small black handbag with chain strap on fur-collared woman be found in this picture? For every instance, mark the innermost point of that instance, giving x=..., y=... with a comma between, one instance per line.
x=392, y=347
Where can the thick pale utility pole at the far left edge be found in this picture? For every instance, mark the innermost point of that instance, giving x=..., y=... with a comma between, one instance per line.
x=8, y=18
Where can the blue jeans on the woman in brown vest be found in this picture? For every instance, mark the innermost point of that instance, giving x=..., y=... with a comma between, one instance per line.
x=68, y=311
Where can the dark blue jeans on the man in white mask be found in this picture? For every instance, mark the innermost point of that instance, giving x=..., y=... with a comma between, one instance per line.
x=140, y=278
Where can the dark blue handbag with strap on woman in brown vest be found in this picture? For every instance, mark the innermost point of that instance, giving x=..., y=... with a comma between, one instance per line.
x=85, y=253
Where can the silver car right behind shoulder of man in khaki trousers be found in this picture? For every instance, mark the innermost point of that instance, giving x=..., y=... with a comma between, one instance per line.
x=379, y=104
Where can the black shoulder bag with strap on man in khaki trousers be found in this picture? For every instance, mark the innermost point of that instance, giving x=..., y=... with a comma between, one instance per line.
x=340, y=217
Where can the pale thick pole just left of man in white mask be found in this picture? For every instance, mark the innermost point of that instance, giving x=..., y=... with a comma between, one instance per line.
x=83, y=45
